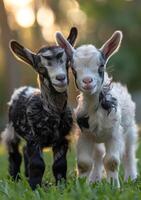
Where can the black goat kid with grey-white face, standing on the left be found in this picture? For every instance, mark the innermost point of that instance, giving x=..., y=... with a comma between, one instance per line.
x=40, y=116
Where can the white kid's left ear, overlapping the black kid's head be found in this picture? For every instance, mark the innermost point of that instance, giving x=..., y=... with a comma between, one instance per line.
x=64, y=44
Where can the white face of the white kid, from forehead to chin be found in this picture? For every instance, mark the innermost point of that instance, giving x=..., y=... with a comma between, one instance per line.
x=86, y=61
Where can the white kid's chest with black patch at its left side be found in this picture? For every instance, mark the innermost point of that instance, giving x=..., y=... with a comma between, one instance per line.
x=98, y=123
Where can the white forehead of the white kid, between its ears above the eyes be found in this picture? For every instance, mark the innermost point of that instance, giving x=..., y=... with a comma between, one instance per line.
x=87, y=54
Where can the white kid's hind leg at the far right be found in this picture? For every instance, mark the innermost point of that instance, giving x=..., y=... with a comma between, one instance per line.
x=129, y=157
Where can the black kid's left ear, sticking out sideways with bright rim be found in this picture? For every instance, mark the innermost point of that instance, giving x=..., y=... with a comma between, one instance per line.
x=22, y=53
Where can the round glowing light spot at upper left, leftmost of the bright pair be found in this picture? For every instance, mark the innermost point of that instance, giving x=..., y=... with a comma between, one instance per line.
x=25, y=17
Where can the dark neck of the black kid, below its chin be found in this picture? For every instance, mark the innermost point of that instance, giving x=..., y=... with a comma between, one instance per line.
x=51, y=98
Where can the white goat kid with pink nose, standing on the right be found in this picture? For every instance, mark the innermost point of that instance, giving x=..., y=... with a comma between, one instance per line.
x=105, y=113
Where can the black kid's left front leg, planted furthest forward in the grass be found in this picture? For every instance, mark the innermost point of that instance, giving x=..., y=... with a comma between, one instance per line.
x=36, y=165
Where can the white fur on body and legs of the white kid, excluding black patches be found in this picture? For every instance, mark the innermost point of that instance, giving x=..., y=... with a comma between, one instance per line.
x=117, y=131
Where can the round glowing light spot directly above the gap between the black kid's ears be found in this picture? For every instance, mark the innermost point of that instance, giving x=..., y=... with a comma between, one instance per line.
x=45, y=17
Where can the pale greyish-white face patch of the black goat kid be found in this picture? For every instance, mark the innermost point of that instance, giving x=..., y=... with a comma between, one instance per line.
x=56, y=67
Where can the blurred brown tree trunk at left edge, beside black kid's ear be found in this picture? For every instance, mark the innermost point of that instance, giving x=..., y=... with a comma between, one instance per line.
x=11, y=66
